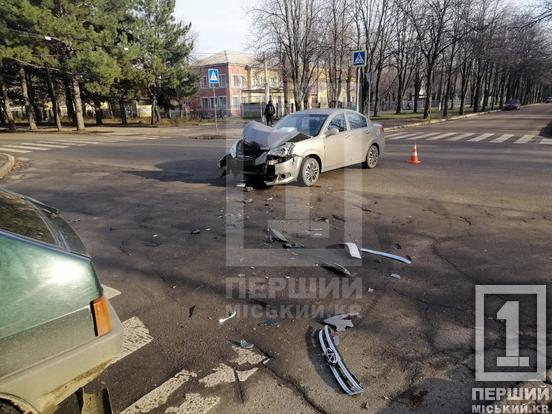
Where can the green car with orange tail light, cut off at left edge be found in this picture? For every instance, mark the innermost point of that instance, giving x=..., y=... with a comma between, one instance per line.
x=57, y=330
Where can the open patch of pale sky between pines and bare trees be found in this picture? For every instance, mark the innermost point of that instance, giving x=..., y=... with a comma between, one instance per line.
x=218, y=24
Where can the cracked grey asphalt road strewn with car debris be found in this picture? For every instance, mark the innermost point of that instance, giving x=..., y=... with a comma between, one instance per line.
x=473, y=212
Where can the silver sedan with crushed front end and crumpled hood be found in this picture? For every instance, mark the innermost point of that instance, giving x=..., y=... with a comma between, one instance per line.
x=304, y=144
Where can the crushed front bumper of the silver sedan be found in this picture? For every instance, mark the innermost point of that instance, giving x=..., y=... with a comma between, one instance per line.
x=267, y=169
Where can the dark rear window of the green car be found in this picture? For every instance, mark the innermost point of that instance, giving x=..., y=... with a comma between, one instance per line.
x=20, y=217
